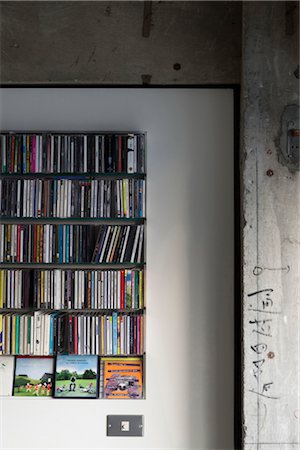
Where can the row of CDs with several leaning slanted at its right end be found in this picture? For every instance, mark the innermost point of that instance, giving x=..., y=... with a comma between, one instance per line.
x=71, y=243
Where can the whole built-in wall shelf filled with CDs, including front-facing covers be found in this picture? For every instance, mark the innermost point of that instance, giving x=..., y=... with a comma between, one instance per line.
x=70, y=197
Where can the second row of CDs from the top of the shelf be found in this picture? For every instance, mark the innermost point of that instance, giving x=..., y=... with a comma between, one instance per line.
x=66, y=198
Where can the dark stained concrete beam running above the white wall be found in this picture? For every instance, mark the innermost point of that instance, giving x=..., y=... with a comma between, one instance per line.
x=102, y=42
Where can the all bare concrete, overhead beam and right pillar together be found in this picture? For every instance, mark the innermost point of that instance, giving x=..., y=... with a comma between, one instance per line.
x=103, y=42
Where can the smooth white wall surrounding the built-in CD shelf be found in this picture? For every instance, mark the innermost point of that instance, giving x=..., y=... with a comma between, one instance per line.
x=189, y=371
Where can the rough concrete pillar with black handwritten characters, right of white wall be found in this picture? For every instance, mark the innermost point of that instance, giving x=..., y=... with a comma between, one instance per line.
x=271, y=233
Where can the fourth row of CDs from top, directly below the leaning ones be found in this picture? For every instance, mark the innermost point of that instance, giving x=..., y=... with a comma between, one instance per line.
x=72, y=289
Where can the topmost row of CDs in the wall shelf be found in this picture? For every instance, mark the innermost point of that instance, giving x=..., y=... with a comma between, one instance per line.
x=75, y=153
